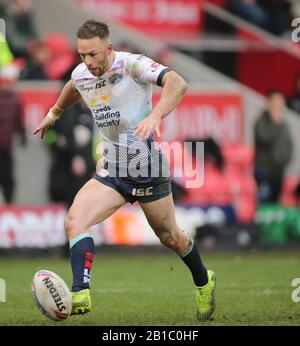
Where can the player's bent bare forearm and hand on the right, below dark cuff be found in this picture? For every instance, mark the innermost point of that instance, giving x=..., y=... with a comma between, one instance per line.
x=173, y=90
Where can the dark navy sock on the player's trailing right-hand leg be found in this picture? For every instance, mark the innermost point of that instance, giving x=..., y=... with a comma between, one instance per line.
x=192, y=259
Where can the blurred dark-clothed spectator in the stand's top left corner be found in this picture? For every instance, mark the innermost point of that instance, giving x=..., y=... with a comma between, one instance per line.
x=20, y=28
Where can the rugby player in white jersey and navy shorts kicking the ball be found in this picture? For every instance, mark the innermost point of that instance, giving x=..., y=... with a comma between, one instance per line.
x=117, y=87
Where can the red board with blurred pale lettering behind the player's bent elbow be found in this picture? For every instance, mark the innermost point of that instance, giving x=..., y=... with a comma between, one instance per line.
x=206, y=114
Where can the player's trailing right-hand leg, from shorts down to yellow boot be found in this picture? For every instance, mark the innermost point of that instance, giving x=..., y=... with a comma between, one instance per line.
x=161, y=217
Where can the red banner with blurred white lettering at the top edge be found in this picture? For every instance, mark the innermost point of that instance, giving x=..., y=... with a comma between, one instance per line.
x=159, y=17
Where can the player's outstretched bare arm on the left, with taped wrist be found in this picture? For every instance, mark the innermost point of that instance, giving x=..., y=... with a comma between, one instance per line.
x=68, y=96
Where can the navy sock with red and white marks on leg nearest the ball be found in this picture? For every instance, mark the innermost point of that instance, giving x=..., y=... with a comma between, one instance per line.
x=82, y=256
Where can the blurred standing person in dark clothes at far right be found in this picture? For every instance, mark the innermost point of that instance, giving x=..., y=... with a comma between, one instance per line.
x=273, y=148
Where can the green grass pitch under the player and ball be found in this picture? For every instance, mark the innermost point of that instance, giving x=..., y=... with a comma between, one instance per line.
x=157, y=289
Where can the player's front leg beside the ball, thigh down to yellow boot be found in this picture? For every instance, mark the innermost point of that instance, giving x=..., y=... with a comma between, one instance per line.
x=93, y=203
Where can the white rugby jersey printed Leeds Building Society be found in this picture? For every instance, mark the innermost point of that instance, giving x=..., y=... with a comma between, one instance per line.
x=119, y=99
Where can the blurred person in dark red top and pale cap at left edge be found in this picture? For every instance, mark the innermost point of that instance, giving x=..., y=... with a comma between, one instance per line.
x=10, y=124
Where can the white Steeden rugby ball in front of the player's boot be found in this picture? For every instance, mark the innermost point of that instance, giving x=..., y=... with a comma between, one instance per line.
x=51, y=295
